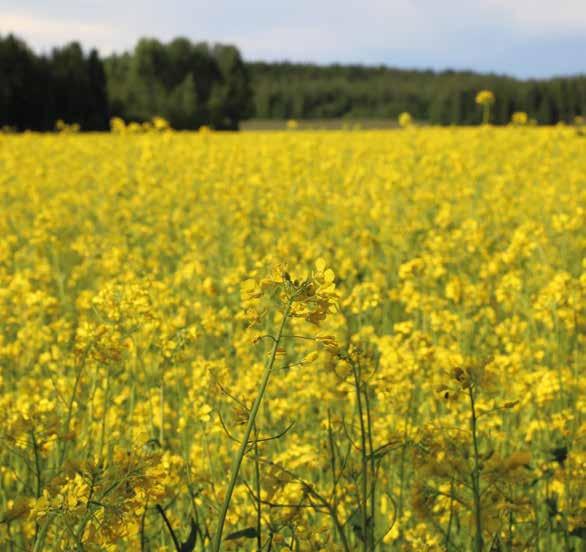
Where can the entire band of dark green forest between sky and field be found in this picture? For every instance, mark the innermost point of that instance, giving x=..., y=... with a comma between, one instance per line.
x=194, y=84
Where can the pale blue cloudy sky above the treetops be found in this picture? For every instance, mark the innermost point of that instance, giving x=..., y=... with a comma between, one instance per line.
x=523, y=38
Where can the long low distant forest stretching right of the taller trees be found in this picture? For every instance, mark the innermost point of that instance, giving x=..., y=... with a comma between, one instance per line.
x=302, y=91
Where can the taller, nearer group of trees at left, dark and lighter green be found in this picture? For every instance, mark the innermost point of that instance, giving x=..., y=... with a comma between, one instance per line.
x=188, y=84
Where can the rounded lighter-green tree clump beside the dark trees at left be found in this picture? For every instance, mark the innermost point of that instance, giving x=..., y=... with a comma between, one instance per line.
x=188, y=84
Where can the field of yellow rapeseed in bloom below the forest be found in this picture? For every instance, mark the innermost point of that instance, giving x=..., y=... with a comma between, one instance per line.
x=413, y=302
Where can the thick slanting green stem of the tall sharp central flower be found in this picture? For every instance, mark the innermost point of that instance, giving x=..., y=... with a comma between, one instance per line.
x=236, y=463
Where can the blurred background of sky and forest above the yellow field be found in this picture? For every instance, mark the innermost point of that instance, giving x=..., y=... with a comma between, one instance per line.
x=257, y=64
